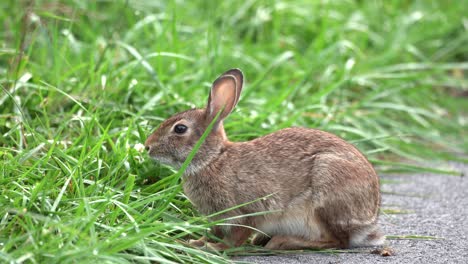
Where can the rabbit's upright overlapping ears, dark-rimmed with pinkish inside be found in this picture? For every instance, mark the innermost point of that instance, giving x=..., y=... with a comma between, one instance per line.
x=224, y=95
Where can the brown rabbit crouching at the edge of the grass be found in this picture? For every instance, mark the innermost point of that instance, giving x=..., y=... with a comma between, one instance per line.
x=323, y=193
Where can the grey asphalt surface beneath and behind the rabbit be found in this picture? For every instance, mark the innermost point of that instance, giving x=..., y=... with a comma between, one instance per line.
x=429, y=205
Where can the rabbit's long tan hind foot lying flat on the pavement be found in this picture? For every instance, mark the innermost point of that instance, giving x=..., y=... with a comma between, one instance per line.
x=296, y=243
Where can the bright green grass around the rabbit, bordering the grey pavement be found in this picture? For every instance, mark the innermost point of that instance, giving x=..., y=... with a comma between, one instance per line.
x=83, y=82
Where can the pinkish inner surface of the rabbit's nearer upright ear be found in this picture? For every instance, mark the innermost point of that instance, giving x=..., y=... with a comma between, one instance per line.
x=223, y=94
